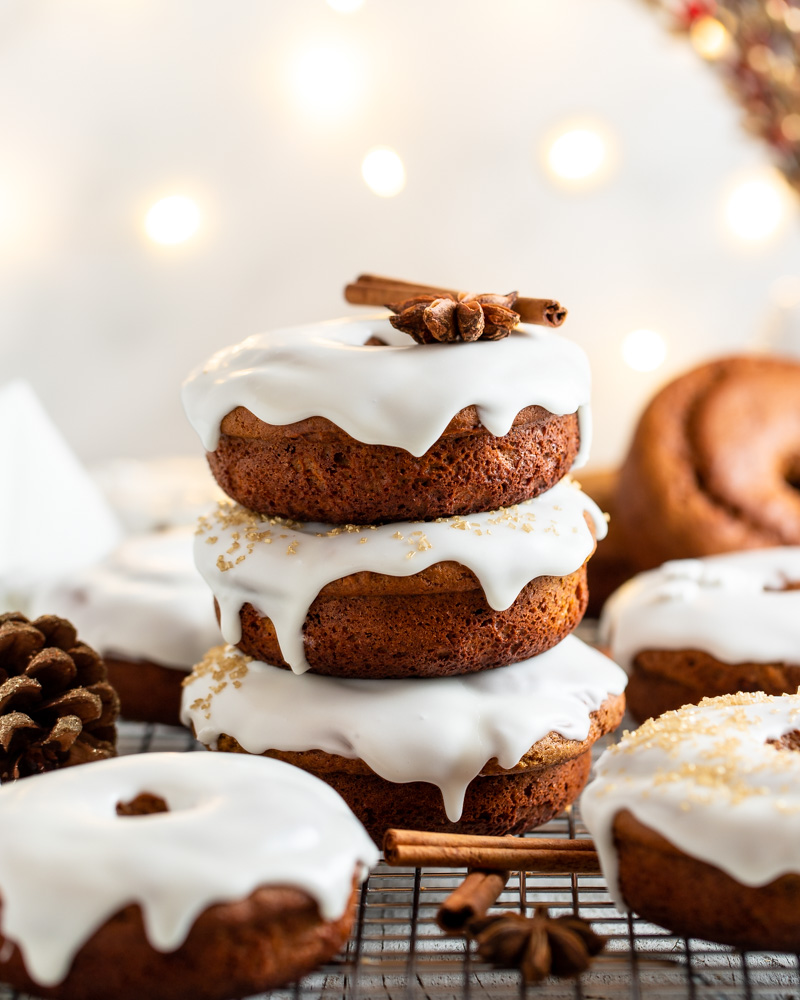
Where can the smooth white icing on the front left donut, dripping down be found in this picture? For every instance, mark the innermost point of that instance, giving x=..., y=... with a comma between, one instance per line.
x=68, y=862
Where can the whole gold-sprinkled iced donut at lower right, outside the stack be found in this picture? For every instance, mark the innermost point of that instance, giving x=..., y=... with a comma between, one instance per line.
x=696, y=818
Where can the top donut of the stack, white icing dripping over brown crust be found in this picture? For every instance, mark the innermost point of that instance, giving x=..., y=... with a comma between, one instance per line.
x=294, y=426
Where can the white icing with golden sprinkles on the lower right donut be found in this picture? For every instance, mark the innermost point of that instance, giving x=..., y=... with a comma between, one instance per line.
x=706, y=780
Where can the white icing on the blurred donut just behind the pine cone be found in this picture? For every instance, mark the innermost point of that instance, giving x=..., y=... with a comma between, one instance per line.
x=145, y=601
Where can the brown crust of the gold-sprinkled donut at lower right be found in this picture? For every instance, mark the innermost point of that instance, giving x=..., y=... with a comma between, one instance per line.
x=696, y=899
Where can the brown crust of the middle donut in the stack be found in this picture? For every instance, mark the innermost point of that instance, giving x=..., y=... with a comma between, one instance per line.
x=436, y=623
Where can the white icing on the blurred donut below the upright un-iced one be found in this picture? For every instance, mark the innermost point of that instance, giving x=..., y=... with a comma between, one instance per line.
x=731, y=606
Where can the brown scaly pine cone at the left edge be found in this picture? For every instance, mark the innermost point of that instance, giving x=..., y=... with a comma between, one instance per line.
x=56, y=705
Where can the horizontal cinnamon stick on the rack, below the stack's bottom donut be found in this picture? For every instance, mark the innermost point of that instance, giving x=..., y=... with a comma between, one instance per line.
x=415, y=849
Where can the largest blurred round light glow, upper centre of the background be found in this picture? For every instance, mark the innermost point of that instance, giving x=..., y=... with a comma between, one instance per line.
x=326, y=81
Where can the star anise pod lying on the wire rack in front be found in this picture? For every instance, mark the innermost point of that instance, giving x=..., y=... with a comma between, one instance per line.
x=539, y=946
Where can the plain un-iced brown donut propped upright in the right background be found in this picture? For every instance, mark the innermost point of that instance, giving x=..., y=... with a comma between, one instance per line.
x=715, y=463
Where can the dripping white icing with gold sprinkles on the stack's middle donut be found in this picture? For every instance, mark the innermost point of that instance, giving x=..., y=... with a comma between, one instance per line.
x=246, y=557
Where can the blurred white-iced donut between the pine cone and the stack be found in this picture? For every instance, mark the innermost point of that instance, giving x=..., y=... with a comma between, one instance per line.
x=146, y=610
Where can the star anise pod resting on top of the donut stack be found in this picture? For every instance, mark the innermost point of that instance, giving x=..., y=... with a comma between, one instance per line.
x=445, y=318
